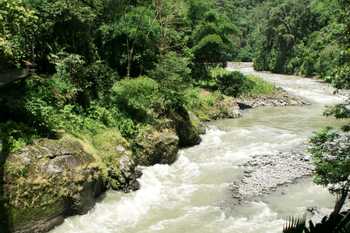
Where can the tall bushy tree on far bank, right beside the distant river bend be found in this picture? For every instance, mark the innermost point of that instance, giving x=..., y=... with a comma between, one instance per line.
x=286, y=25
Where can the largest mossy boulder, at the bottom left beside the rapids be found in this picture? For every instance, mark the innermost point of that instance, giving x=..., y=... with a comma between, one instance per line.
x=47, y=181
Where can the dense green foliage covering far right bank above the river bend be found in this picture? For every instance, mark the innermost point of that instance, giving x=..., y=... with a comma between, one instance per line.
x=303, y=37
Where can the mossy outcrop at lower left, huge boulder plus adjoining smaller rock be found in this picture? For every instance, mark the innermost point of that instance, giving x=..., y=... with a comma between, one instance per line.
x=52, y=179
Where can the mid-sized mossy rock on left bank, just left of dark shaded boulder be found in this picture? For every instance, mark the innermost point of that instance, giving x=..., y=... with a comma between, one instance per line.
x=156, y=147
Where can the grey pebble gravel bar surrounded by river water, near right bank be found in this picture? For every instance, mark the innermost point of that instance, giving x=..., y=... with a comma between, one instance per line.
x=265, y=173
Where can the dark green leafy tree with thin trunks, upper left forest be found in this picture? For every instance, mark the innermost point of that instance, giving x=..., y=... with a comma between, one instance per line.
x=132, y=39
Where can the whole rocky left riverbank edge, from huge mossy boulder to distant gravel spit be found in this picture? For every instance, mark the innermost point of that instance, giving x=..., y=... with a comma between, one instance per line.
x=55, y=178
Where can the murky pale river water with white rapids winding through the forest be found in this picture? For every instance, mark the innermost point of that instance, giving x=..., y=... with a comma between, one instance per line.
x=193, y=195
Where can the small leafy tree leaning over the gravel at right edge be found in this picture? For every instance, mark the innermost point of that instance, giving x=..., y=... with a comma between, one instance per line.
x=331, y=155
